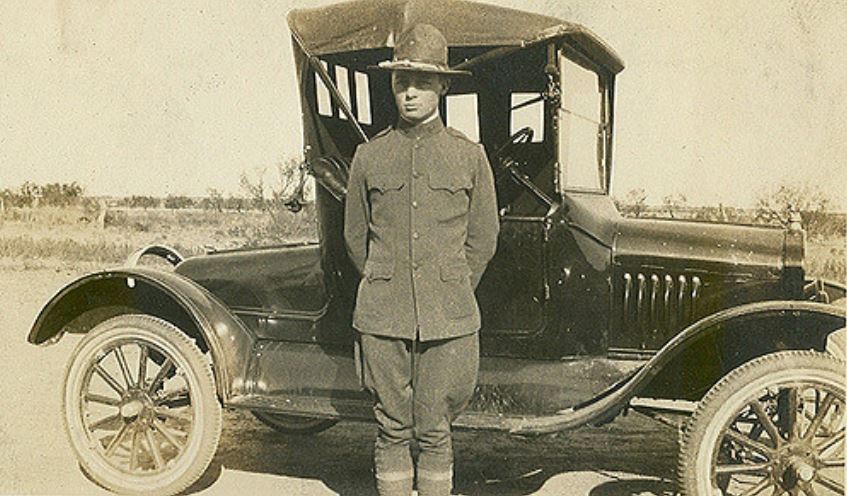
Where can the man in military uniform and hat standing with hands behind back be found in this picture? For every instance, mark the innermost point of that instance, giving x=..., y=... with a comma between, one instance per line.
x=420, y=225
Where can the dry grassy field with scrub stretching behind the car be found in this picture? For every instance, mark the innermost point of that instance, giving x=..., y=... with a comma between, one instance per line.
x=71, y=237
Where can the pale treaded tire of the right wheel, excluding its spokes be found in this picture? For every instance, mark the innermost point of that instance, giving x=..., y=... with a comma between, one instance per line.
x=728, y=396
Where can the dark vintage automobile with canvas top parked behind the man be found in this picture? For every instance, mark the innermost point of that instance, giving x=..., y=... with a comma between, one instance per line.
x=586, y=314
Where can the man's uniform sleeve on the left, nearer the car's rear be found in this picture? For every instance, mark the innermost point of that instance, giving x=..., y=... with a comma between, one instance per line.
x=356, y=214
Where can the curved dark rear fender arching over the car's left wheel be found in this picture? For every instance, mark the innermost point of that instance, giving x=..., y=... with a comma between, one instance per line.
x=94, y=297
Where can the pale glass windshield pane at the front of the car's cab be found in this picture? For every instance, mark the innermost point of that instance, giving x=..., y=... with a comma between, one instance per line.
x=582, y=125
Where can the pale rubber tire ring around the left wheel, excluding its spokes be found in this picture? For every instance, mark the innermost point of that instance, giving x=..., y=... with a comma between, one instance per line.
x=207, y=414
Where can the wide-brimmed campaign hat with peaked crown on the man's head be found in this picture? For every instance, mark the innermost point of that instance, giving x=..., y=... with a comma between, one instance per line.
x=421, y=48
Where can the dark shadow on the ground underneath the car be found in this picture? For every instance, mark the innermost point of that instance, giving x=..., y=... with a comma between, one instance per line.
x=486, y=463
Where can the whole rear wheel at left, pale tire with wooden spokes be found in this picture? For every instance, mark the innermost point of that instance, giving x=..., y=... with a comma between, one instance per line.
x=140, y=406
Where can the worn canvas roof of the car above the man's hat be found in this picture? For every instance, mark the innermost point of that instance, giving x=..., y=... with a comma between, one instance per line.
x=369, y=24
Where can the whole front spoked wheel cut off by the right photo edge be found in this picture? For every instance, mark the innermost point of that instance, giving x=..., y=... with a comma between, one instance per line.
x=773, y=426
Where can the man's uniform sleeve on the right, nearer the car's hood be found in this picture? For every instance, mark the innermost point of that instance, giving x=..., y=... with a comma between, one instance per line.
x=483, y=221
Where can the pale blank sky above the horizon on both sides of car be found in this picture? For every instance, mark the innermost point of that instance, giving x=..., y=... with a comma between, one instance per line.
x=721, y=101
